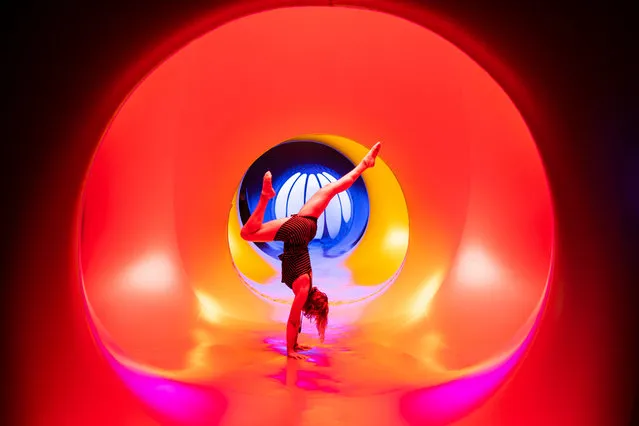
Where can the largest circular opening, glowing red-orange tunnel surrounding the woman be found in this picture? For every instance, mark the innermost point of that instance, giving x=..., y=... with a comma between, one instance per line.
x=159, y=248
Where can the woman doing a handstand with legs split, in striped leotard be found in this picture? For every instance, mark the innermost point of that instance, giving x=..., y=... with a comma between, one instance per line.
x=297, y=232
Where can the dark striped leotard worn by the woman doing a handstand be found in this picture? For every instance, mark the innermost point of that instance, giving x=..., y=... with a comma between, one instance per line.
x=296, y=233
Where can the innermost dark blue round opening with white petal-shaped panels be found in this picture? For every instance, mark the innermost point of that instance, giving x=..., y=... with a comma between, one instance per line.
x=300, y=169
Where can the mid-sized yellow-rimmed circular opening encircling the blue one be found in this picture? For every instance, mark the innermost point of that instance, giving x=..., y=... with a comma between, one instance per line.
x=300, y=167
